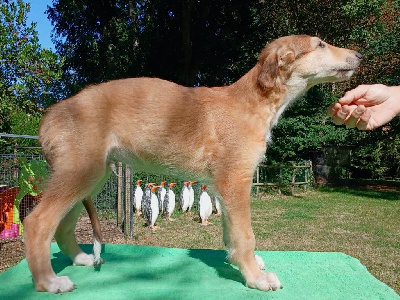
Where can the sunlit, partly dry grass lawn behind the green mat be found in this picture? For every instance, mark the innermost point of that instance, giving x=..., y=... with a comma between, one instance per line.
x=362, y=223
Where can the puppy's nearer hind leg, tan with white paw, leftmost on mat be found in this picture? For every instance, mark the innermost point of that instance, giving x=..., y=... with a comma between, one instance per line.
x=64, y=189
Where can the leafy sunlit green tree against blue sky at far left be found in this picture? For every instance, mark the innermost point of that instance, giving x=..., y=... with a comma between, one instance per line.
x=29, y=75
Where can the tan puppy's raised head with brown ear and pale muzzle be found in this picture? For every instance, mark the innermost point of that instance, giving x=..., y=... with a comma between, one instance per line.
x=307, y=59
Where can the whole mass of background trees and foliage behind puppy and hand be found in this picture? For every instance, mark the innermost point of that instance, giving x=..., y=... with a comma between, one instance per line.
x=208, y=43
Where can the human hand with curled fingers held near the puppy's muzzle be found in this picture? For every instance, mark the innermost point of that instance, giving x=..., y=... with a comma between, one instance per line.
x=366, y=107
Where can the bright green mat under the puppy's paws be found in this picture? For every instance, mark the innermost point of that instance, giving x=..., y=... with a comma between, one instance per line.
x=141, y=272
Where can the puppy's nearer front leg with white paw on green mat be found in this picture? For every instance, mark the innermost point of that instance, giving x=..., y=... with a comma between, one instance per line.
x=238, y=234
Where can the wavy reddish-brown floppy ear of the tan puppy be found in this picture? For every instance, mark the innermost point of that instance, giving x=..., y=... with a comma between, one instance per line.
x=273, y=61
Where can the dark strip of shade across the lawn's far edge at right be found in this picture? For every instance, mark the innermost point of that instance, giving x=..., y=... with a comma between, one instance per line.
x=363, y=191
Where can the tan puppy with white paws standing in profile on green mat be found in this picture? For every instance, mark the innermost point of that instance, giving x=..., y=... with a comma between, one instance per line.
x=216, y=135
